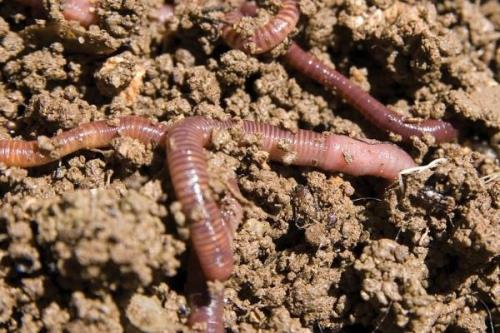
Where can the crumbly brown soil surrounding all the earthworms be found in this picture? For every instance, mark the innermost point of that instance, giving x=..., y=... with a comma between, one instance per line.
x=96, y=242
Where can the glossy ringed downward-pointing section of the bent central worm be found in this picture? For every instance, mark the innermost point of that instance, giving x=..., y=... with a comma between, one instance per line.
x=188, y=168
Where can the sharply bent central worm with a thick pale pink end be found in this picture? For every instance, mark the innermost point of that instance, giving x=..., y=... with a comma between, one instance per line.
x=188, y=169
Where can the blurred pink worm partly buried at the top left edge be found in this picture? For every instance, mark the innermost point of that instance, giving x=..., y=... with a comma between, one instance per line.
x=82, y=11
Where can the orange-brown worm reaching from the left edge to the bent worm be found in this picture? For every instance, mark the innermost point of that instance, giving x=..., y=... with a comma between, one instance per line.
x=86, y=136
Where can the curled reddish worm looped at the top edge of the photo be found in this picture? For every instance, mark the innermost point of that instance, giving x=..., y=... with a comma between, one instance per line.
x=265, y=37
